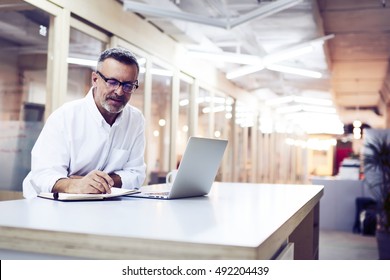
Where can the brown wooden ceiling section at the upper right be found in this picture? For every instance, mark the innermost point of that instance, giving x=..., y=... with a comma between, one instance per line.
x=359, y=56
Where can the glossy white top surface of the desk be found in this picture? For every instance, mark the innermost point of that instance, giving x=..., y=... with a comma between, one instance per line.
x=232, y=214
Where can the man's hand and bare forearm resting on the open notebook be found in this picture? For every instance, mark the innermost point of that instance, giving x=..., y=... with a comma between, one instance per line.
x=94, y=182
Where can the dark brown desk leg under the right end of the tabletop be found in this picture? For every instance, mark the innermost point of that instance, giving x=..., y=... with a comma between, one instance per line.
x=306, y=237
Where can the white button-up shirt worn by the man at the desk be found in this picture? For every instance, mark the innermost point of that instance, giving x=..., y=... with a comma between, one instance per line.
x=76, y=140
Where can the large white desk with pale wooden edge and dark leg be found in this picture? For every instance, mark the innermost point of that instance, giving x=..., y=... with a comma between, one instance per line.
x=235, y=221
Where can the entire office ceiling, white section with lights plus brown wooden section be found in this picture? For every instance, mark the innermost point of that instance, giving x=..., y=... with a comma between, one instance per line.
x=349, y=41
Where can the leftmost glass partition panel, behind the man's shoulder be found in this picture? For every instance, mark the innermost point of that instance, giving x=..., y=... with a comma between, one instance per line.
x=23, y=68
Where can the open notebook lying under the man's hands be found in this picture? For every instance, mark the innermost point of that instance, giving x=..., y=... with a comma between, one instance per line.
x=115, y=192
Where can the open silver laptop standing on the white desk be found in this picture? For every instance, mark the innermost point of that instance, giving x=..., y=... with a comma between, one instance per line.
x=197, y=170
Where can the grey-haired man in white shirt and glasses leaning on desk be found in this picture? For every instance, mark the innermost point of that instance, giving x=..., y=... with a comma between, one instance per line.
x=95, y=143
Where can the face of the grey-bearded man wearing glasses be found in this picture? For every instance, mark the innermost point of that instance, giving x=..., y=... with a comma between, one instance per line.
x=111, y=101
